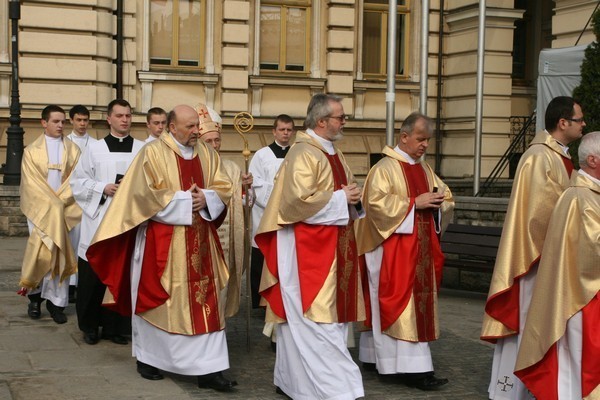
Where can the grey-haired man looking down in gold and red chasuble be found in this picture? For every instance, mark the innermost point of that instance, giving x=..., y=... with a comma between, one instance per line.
x=406, y=205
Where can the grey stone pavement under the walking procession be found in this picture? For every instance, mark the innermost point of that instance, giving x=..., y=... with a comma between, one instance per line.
x=43, y=360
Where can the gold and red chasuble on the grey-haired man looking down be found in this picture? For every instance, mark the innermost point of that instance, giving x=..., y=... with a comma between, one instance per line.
x=411, y=268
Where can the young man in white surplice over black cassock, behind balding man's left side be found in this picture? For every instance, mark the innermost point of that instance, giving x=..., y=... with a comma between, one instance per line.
x=96, y=180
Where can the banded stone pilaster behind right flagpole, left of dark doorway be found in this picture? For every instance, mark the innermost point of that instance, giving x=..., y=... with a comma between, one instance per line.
x=459, y=91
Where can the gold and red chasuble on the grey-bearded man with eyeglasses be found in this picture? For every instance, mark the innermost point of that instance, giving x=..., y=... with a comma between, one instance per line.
x=328, y=265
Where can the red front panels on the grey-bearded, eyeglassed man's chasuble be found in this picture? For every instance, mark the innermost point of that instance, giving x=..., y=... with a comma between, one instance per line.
x=336, y=244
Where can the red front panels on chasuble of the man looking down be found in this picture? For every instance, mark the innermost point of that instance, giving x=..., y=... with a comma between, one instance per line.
x=412, y=264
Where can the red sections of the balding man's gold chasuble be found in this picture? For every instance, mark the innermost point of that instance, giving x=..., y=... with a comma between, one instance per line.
x=203, y=311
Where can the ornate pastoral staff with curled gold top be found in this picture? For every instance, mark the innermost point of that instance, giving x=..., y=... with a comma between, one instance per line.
x=243, y=123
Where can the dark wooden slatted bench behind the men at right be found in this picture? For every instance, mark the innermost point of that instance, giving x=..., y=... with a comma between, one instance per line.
x=470, y=248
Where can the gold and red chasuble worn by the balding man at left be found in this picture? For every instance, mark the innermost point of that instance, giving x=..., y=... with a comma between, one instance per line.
x=183, y=270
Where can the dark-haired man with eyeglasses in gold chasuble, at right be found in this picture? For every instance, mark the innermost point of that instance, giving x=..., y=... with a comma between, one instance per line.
x=542, y=175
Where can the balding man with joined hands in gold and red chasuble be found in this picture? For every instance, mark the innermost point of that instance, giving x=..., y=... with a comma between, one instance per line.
x=165, y=263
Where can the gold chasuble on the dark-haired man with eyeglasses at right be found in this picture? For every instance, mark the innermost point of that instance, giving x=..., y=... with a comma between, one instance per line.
x=542, y=175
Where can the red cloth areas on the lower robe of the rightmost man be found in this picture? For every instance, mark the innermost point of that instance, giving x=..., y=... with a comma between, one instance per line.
x=542, y=378
